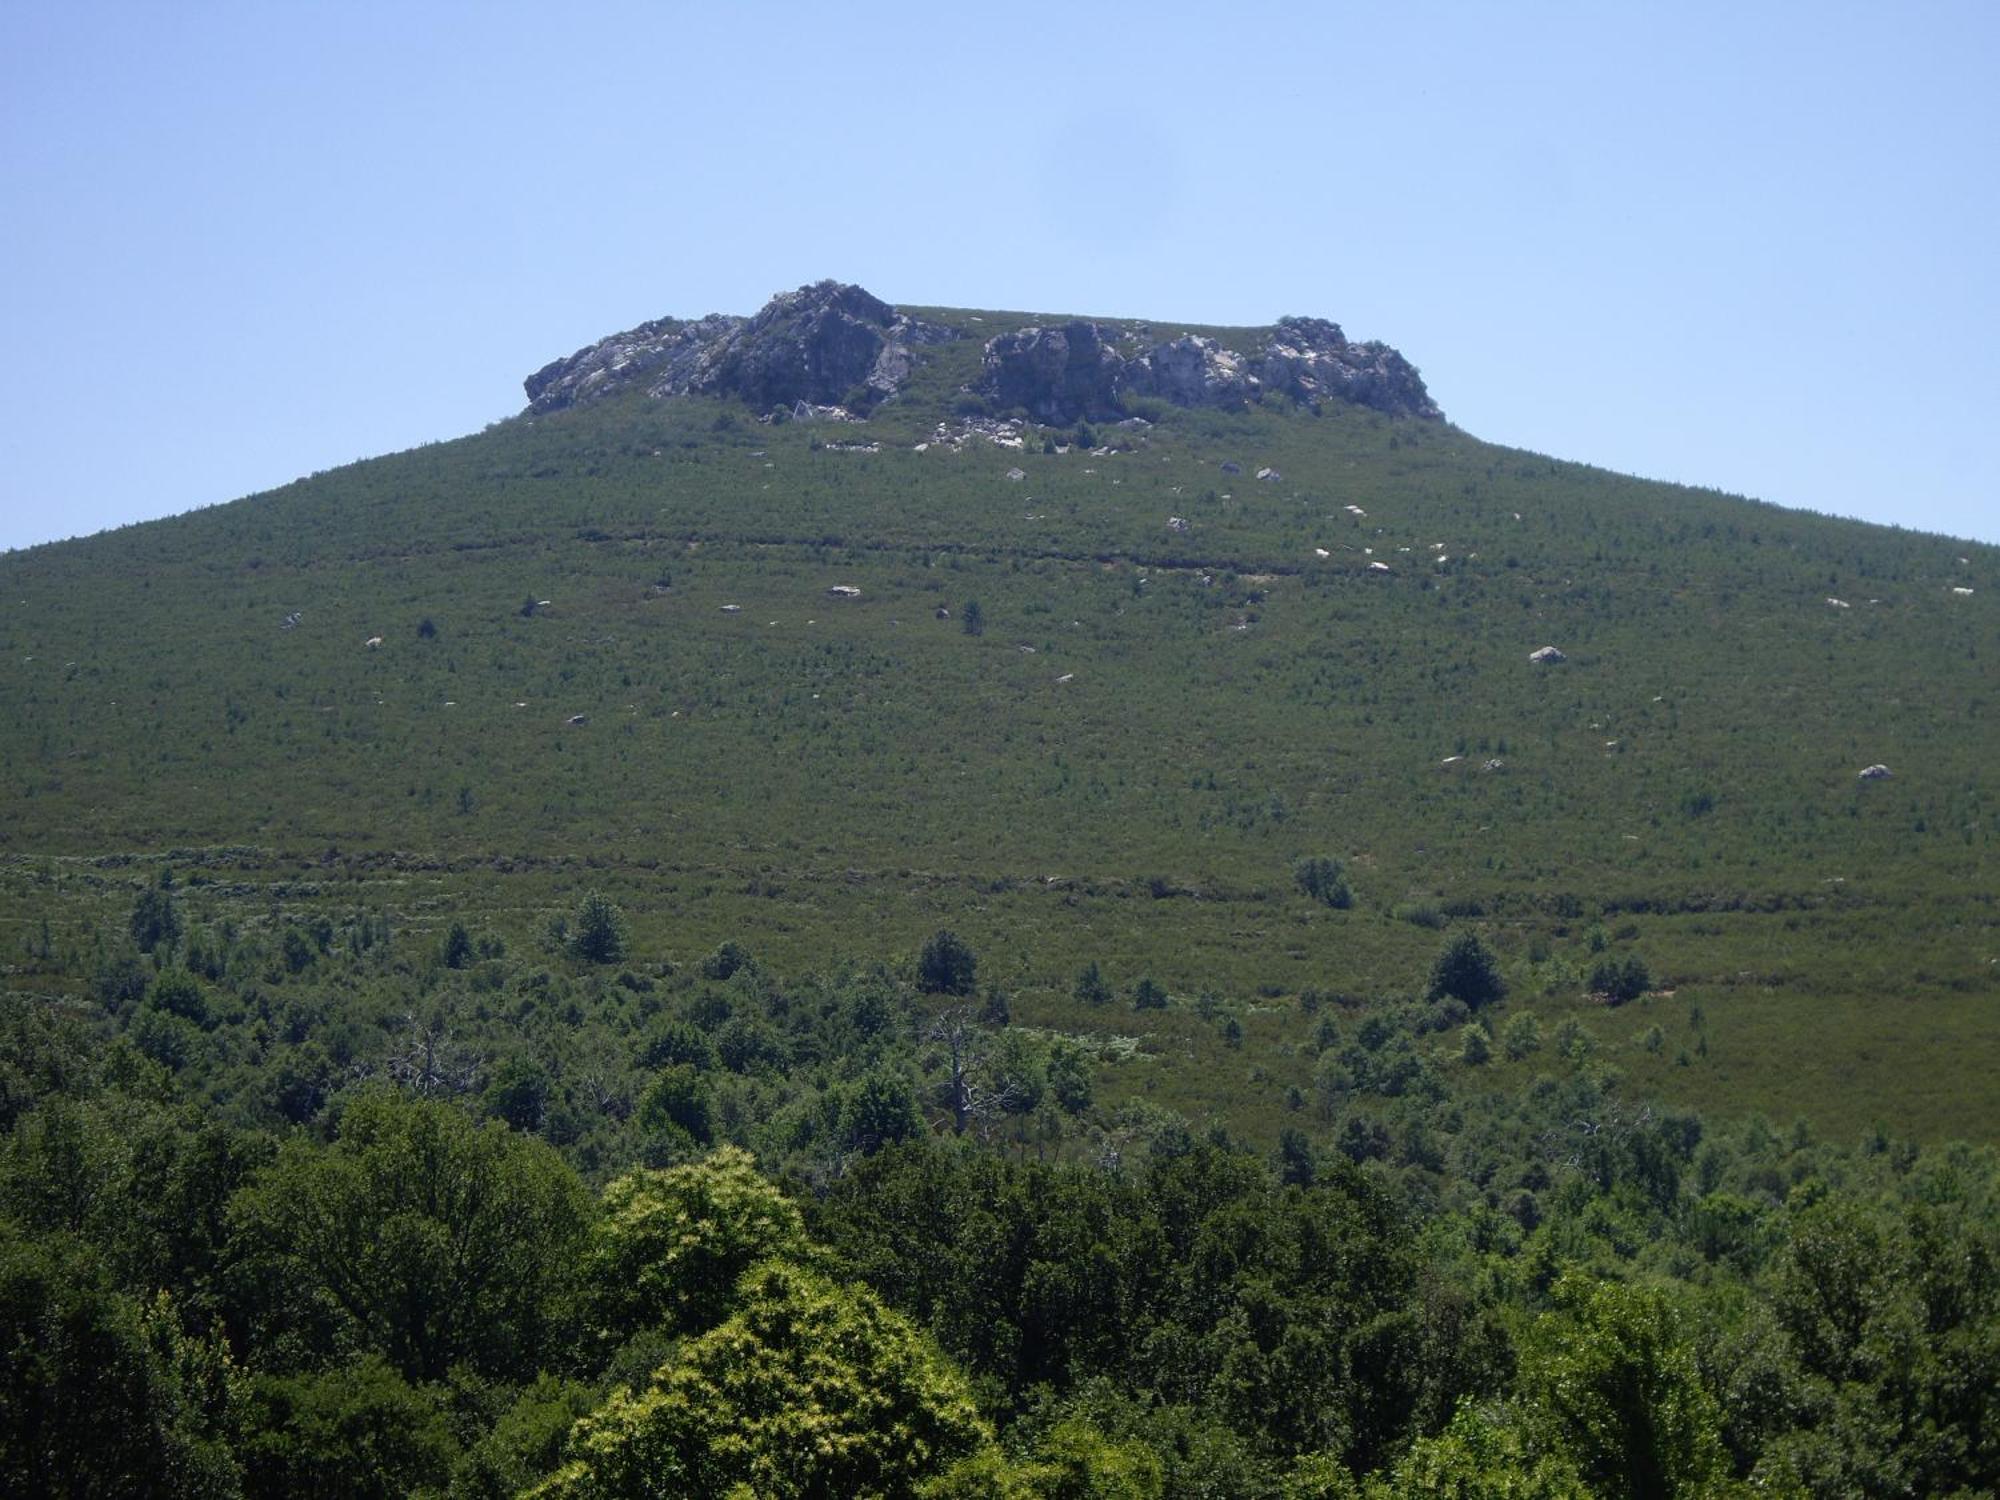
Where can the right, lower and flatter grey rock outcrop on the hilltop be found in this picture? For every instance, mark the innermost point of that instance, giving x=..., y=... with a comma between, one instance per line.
x=1075, y=373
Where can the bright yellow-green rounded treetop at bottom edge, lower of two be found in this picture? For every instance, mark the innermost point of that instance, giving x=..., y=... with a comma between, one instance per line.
x=811, y=1389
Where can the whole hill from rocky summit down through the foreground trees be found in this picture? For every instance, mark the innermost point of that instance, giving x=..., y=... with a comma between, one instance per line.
x=965, y=907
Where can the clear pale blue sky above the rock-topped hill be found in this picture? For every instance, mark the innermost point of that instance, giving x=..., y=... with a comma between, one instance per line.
x=1747, y=247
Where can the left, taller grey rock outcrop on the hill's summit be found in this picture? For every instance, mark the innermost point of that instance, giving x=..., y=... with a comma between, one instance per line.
x=825, y=345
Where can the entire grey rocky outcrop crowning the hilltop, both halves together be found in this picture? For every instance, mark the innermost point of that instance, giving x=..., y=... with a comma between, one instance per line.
x=837, y=345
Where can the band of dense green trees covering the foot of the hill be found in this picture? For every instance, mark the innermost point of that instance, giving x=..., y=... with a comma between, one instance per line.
x=327, y=1211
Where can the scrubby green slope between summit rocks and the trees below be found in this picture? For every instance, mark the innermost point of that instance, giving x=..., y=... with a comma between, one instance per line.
x=819, y=777
